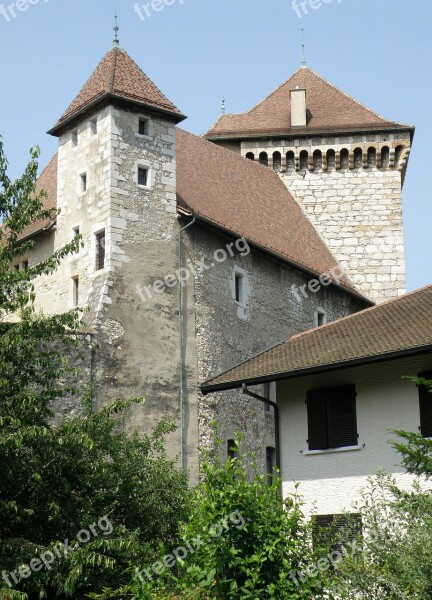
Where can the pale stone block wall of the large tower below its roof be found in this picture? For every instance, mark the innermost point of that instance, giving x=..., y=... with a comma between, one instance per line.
x=351, y=189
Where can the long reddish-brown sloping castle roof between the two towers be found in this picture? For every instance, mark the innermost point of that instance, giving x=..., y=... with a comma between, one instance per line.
x=250, y=200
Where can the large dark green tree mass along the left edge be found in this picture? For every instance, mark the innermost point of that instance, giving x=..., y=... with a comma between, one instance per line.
x=80, y=502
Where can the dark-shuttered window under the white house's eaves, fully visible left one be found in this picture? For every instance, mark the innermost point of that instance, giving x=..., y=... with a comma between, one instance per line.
x=332, y=419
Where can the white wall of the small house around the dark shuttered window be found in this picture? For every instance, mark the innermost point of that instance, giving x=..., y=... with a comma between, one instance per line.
x=330, y=482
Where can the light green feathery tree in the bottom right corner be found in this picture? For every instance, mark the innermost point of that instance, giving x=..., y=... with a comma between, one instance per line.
x=396, y=558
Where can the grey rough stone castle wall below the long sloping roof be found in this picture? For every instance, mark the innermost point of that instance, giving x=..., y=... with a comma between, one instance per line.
x=227, y=334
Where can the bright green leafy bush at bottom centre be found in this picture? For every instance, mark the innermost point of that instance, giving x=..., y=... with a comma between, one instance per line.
x=261, y=542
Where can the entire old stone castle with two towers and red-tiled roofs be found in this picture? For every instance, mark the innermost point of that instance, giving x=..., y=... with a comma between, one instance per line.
x=200, y=252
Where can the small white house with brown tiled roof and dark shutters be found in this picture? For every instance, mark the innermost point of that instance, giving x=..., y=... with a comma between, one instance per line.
x=340, y=390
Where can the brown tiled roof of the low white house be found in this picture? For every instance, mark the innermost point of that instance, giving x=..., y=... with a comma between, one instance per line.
x=399, y=327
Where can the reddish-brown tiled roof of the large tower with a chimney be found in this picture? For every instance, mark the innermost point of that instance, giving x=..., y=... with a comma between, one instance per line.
x=328, y=110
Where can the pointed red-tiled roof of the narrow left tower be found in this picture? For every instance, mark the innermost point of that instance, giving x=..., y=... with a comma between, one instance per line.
x=117, y=76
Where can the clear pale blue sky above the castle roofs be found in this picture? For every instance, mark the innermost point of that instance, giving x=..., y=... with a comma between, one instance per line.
x=197, y=51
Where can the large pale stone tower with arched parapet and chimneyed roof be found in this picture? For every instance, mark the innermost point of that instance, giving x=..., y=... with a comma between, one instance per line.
x=343, y=163
